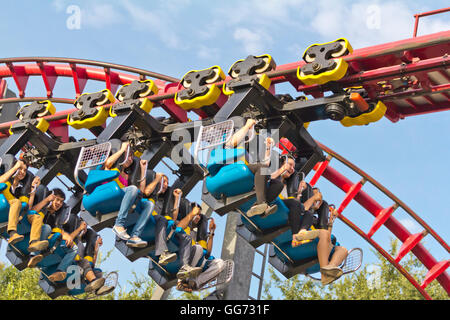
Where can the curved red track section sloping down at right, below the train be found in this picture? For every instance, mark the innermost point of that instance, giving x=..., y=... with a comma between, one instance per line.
x=383, y=216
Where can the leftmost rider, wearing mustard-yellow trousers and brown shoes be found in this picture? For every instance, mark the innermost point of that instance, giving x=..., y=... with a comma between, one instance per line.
x=15, y=178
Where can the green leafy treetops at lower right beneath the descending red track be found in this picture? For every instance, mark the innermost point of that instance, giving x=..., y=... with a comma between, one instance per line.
x=382, y=281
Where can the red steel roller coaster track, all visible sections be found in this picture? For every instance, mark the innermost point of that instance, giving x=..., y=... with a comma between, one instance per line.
x=421, y=60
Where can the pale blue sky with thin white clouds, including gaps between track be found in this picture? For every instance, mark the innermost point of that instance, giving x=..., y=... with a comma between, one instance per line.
x=408, y=157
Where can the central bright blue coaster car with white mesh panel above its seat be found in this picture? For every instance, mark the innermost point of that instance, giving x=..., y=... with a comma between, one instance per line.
x=234, y=182
